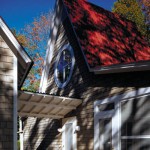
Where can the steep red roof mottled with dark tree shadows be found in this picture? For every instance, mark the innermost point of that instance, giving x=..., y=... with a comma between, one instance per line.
x=109, y=42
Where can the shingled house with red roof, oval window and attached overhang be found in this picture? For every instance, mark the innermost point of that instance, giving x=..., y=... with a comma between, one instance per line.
x=95, y=87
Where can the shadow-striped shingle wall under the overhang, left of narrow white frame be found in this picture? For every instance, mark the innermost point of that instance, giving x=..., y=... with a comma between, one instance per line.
x=41, y=134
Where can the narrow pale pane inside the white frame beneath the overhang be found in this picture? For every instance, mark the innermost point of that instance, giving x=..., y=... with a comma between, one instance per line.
x=69, y=136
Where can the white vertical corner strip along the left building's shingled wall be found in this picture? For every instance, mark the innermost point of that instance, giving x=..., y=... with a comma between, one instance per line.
x=15, y=94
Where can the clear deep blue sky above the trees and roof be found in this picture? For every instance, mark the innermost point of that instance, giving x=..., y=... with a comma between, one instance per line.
x=18, y=13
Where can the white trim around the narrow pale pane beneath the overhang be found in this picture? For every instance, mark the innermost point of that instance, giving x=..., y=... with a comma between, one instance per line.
x=65, y=121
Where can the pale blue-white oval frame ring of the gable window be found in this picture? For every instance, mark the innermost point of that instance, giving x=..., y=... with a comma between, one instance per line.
x=69, y=48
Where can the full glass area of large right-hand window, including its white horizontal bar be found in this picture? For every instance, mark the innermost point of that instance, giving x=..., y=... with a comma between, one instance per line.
x=135, y=124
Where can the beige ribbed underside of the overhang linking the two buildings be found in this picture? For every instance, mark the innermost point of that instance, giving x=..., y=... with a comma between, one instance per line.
x=45, y=106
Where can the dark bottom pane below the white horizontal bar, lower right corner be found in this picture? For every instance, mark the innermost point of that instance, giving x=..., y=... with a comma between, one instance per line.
x=135, y=144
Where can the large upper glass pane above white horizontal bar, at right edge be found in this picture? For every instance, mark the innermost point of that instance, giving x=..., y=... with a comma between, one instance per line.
x=135, y=117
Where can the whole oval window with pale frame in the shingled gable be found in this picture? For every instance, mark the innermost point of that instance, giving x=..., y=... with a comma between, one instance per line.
x=64, y=66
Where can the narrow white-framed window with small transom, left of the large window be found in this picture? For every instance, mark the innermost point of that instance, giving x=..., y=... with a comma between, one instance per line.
x=103, y=126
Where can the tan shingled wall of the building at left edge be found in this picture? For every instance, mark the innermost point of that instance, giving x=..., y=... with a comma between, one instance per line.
x=6, y=96
